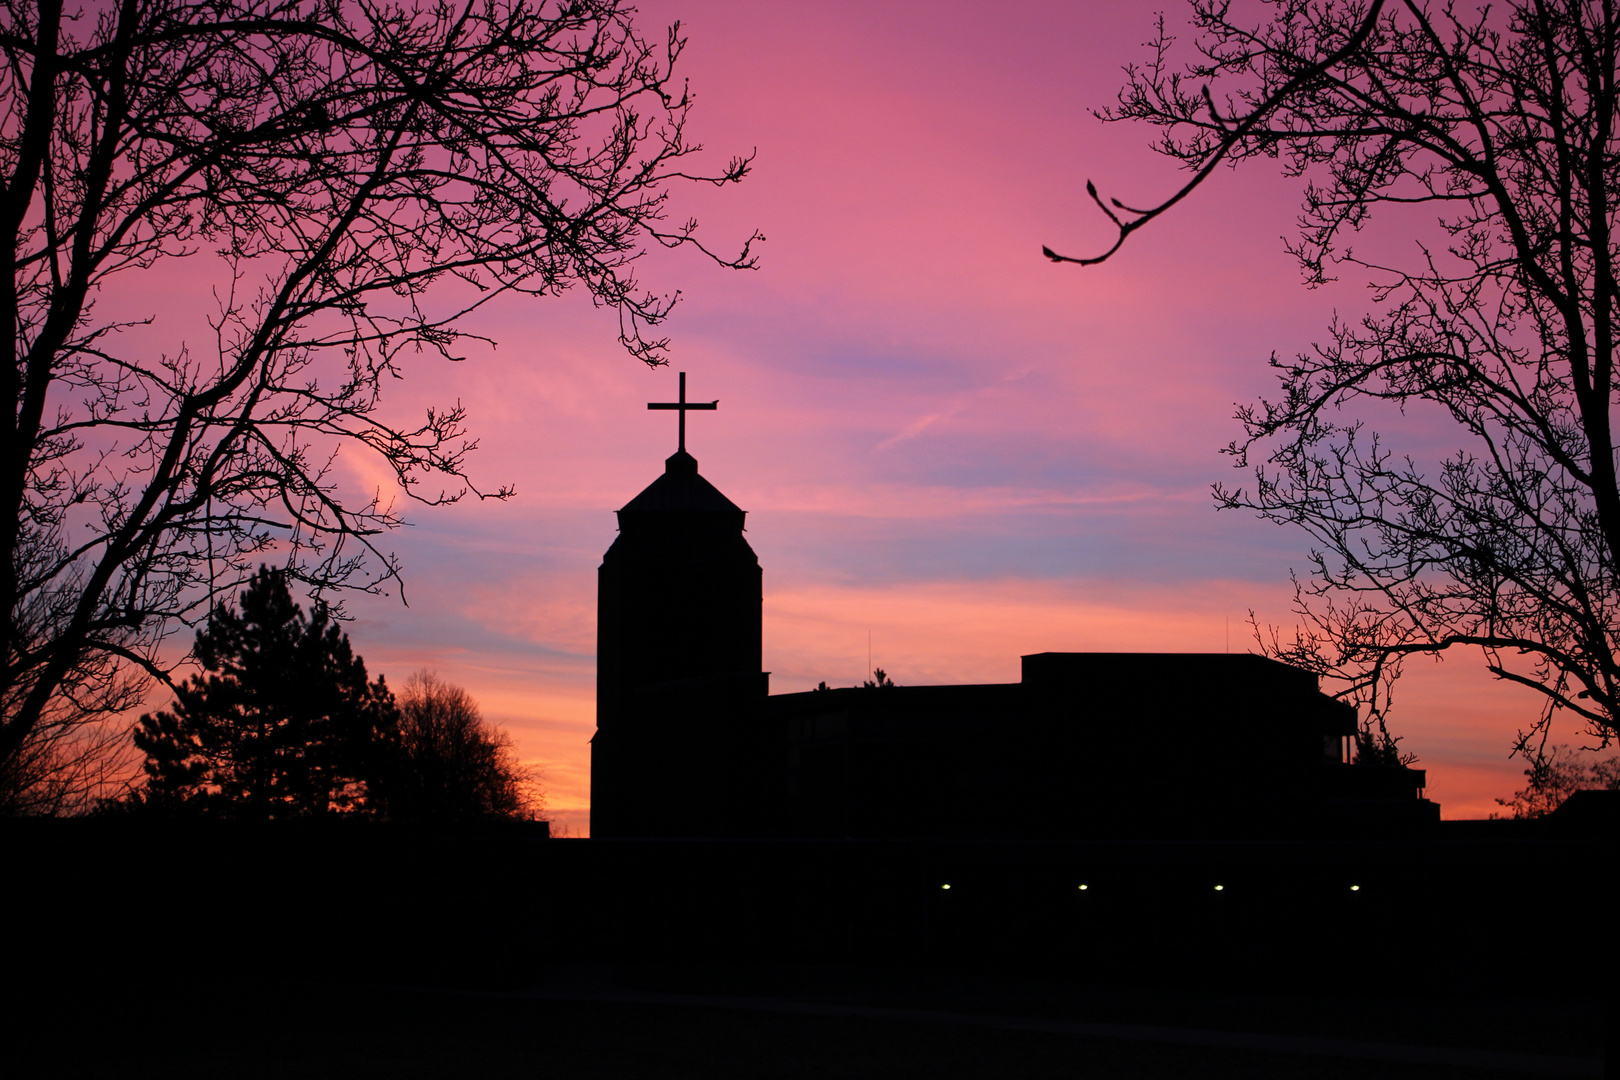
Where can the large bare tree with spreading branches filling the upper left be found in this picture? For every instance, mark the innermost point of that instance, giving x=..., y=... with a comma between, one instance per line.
x=362, y=177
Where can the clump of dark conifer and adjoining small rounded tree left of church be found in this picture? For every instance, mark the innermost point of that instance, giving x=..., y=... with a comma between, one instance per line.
x=284, y=725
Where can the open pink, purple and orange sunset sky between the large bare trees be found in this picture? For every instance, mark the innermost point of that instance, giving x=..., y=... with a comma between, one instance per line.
x=940, y=438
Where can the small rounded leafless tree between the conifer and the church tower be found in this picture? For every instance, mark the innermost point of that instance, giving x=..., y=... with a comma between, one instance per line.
x=451, y=763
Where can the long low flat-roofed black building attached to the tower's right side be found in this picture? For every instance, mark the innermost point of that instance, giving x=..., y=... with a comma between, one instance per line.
x=1089, y=746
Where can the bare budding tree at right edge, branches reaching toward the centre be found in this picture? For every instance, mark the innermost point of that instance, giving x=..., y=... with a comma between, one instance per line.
x=1503, y=124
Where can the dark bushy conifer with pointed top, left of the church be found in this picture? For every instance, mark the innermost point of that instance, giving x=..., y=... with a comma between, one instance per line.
x=283, y=725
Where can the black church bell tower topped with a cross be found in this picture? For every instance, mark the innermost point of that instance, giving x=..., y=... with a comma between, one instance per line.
x=678, y=658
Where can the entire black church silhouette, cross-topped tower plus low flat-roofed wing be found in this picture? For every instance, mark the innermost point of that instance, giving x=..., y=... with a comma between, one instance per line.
x=1088, y=746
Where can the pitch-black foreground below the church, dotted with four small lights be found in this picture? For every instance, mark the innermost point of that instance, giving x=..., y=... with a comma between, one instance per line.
x=364, y=953
